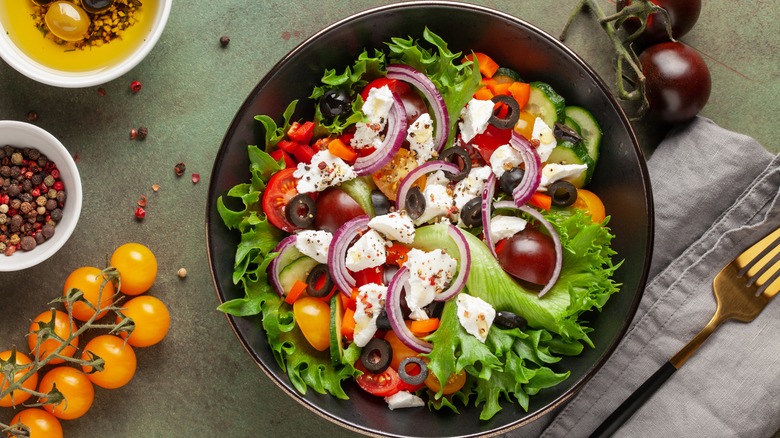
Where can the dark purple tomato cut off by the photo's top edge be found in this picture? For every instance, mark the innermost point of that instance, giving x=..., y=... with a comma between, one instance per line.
x=682, y=13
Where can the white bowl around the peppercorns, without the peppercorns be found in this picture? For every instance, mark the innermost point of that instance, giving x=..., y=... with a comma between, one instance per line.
x=21, y=135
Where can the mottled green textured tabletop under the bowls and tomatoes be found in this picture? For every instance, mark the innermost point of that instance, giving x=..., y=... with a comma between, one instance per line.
x=200, y=381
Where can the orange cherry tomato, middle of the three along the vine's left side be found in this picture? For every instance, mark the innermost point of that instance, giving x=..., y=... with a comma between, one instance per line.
x=62, y=327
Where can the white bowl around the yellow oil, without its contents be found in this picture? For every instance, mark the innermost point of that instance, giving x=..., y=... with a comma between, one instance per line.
x=25, y=65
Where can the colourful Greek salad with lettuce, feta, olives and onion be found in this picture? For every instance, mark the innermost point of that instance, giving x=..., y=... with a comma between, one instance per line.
x=427, y=233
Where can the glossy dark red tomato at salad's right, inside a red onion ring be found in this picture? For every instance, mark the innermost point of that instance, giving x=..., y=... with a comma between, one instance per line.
x=528, y=255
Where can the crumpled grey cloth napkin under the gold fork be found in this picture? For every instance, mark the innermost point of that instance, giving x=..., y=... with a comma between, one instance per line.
x=716, y=193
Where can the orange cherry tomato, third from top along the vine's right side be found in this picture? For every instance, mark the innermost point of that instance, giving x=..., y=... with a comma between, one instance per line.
x=119, y=361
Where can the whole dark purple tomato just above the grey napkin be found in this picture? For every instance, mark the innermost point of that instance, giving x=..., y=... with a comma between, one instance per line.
x=678, y=82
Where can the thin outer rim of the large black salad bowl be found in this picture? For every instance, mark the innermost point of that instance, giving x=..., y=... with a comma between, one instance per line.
x=649, y=205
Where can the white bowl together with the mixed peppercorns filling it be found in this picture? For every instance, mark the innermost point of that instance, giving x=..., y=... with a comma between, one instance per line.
x=40, y=195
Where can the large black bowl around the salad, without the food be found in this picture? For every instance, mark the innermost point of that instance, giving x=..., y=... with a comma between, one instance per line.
x=620, y=179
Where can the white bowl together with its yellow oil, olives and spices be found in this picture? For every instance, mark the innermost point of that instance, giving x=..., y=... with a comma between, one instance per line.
x=79, y=43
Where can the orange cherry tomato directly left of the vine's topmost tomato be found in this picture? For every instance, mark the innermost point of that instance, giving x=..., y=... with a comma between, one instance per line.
x=97, y=290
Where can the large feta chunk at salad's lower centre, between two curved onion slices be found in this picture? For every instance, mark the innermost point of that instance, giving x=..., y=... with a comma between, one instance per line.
x=429, y=274
